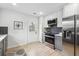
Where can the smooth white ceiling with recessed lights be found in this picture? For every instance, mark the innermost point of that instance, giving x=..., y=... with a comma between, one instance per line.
x=34, y=8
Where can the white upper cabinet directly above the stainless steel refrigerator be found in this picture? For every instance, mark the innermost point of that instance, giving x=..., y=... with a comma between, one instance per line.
x=69, y=10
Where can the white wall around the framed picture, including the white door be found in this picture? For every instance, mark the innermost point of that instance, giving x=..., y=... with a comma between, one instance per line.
x=18, y=37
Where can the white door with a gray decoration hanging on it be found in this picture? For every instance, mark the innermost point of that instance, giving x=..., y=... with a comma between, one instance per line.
x=33, y=30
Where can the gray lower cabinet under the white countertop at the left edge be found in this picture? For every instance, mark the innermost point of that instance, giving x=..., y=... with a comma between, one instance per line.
x=3, y=46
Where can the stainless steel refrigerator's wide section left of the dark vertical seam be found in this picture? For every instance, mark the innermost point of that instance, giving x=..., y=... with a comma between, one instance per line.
x=68, y=35
